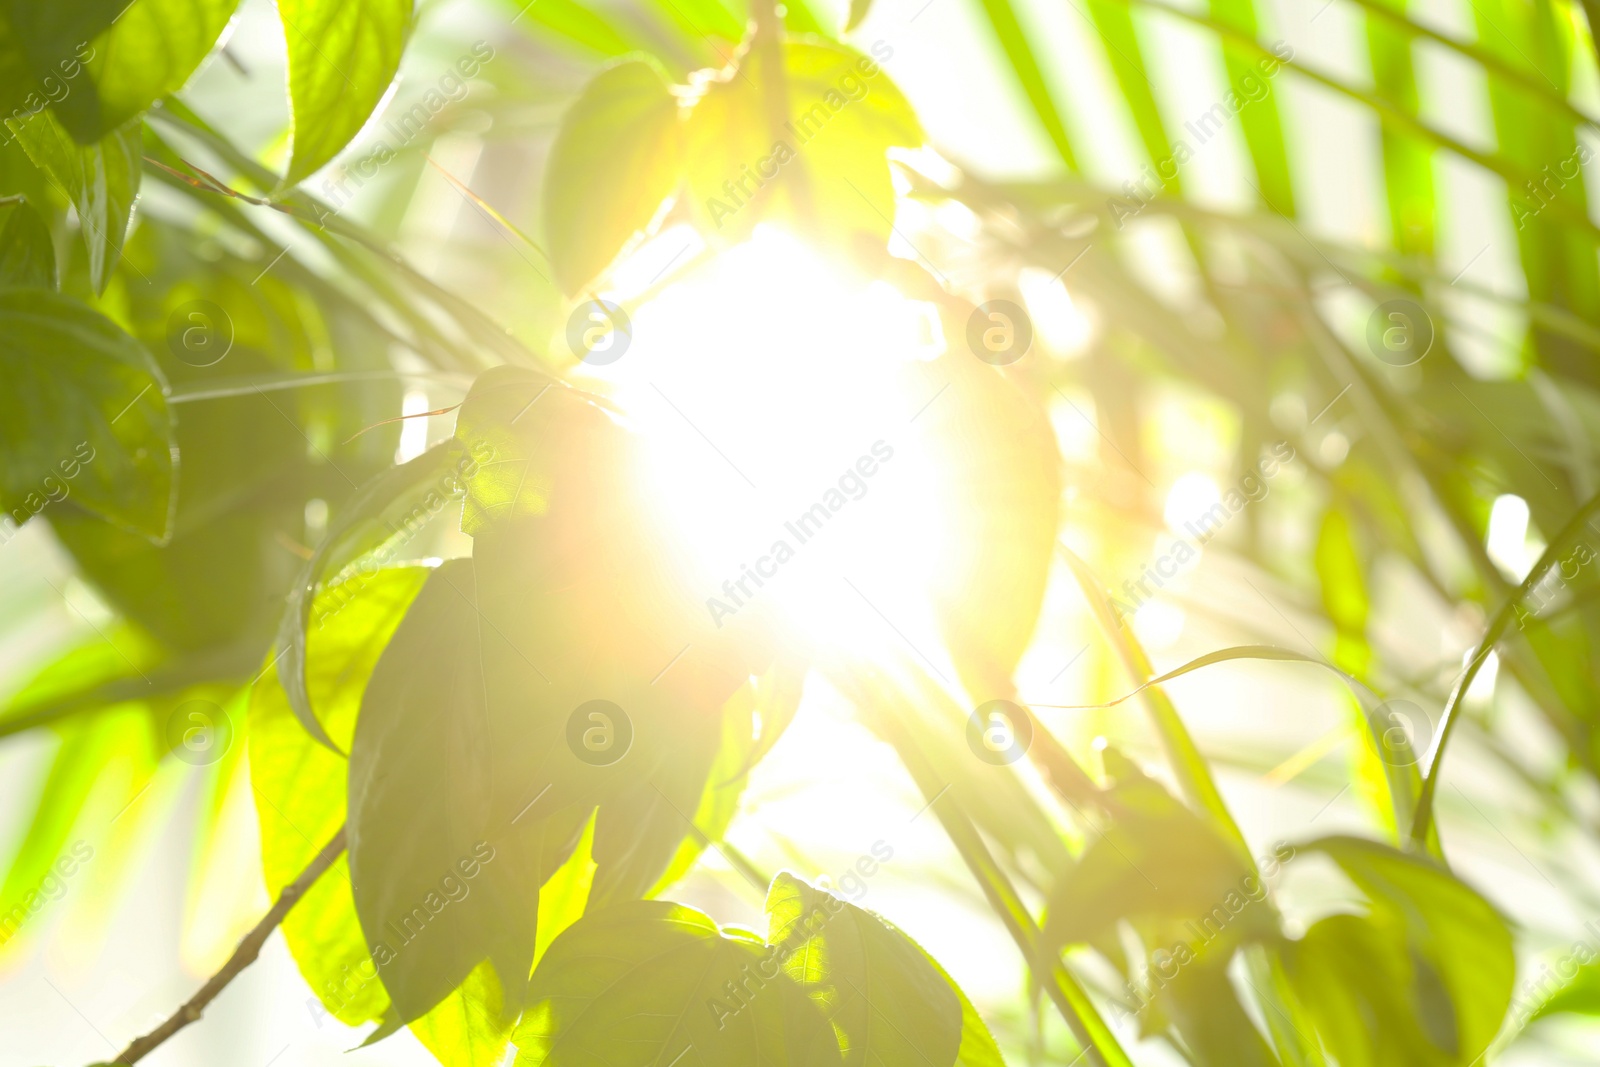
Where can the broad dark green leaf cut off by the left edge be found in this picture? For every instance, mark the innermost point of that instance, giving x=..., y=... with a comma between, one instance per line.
x=86, y=415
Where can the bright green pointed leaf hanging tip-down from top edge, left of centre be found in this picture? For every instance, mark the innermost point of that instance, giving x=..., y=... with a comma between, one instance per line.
x=343, y=58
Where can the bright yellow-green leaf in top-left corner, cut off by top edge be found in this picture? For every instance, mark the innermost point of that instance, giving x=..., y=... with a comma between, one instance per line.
x=148, y=54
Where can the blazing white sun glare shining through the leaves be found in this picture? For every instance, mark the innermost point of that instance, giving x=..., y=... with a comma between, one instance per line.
x=778, y=396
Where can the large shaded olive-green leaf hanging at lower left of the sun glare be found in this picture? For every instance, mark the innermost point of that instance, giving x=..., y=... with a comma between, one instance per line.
x=449, y=765
